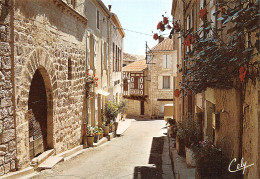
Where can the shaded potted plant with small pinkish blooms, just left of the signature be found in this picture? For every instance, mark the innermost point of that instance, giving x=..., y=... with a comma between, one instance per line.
x=210, y=162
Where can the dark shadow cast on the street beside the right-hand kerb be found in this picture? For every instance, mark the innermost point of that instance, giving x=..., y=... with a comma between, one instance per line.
x=152, y=172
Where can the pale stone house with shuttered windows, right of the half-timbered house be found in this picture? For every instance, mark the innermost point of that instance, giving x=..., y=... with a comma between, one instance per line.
x=161, y=67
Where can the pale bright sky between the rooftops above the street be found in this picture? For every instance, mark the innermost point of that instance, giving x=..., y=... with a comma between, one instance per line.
x=140, y=16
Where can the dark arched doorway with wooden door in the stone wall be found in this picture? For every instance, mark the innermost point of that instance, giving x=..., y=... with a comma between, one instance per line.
x=40, y=106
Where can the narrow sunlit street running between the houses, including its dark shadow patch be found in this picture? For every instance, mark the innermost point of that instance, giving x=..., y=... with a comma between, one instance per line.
x=136, y=154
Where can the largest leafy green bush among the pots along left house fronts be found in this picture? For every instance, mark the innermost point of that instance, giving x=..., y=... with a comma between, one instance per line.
x=110, y=111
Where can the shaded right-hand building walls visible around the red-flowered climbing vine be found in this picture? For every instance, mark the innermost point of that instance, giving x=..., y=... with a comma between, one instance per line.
x=237, y=132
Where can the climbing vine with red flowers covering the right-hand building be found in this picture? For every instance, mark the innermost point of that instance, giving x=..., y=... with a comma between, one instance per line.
x=222, y=56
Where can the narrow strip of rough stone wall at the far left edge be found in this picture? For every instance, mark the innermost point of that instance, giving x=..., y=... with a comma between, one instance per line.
x=7, y=121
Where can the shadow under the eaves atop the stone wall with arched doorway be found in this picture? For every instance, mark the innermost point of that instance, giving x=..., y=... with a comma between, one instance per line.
x=58, y=18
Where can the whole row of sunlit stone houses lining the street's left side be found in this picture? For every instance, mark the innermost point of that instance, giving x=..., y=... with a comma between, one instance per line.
x=47, y=47
